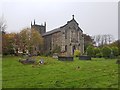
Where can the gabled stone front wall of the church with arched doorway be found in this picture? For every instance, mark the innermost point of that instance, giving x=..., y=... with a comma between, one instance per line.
x=74, y=38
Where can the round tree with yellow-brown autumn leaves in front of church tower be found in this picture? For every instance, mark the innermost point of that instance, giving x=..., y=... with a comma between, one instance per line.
x=29, y=41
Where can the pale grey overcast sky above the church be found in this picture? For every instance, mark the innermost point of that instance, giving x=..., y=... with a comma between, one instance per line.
x=94, y=17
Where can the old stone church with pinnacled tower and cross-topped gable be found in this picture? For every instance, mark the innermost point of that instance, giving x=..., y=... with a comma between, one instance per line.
x=68, y=37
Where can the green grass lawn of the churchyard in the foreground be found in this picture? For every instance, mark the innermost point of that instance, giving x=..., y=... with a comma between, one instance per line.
x=97, y=73
